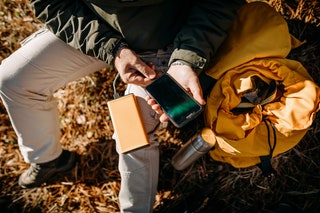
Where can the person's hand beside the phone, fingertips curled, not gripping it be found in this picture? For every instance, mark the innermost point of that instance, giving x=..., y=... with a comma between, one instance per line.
x=132, y=69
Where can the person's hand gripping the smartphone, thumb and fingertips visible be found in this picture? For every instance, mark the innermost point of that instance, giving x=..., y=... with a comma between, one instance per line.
x=188, y=79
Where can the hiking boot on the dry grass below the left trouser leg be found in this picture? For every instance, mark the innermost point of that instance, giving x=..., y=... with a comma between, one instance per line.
x=37, y=174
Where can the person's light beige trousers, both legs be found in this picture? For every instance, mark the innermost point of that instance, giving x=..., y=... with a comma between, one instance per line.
x=28, y=79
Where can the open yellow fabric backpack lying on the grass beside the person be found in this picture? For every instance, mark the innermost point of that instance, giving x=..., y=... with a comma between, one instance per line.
x=262, y=103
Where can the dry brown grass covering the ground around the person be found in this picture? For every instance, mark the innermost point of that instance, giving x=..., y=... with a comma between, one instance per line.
x=208, y=186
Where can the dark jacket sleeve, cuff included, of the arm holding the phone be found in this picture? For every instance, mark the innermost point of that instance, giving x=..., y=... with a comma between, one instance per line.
x=204, y=31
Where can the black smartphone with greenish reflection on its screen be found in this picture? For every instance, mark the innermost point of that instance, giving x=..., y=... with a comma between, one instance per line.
x=174, y=100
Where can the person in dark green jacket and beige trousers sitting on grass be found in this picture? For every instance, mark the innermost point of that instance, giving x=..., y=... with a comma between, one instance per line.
x=81, y=37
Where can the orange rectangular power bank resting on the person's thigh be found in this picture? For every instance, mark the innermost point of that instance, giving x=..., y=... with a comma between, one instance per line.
x=127, y=123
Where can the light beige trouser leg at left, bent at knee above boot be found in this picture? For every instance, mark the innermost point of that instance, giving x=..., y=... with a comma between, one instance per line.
x=29, y=77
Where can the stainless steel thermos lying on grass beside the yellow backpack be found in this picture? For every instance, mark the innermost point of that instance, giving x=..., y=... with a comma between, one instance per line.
x=196, y=147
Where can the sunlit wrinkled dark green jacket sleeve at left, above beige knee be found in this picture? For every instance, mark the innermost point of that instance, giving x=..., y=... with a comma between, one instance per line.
x=74, y=23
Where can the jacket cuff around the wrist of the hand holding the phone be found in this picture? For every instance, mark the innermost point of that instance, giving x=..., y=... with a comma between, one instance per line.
x=197, y=62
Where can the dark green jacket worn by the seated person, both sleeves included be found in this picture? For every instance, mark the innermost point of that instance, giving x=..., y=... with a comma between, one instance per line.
x=95, y=27
